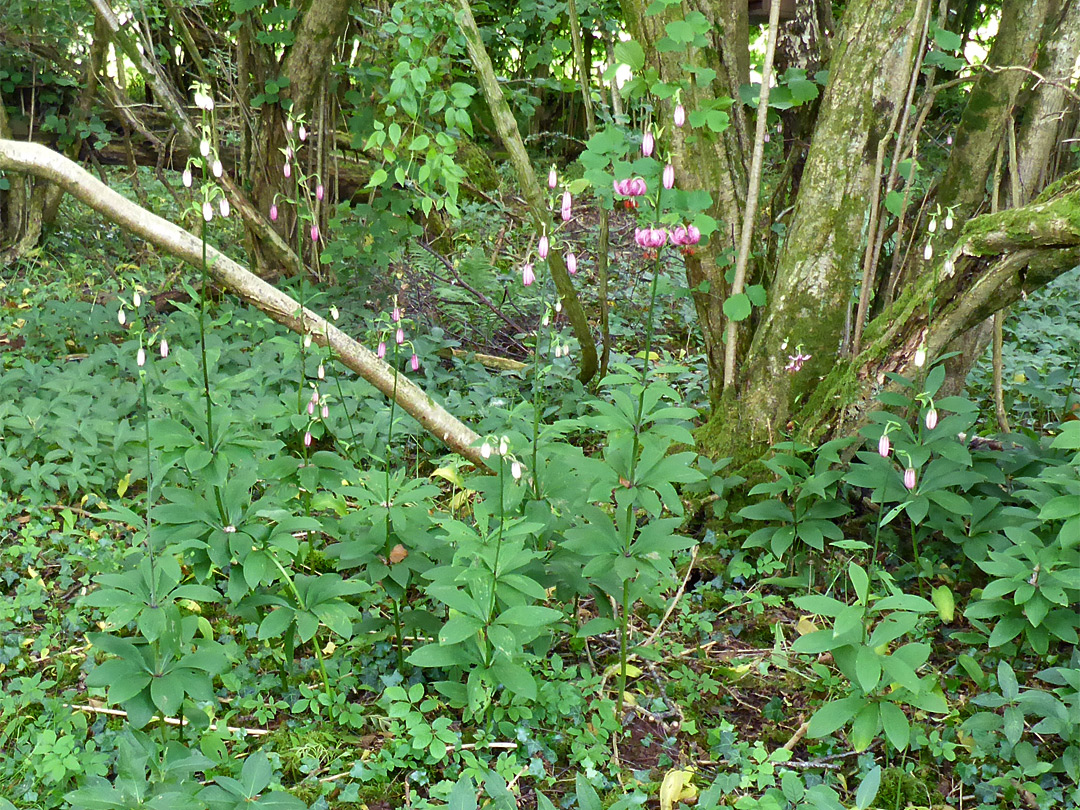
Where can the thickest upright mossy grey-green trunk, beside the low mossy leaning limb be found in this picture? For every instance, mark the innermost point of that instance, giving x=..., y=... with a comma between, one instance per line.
x=869, y=77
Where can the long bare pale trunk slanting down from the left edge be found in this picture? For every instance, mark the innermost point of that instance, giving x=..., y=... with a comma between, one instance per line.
x=38, y=161
